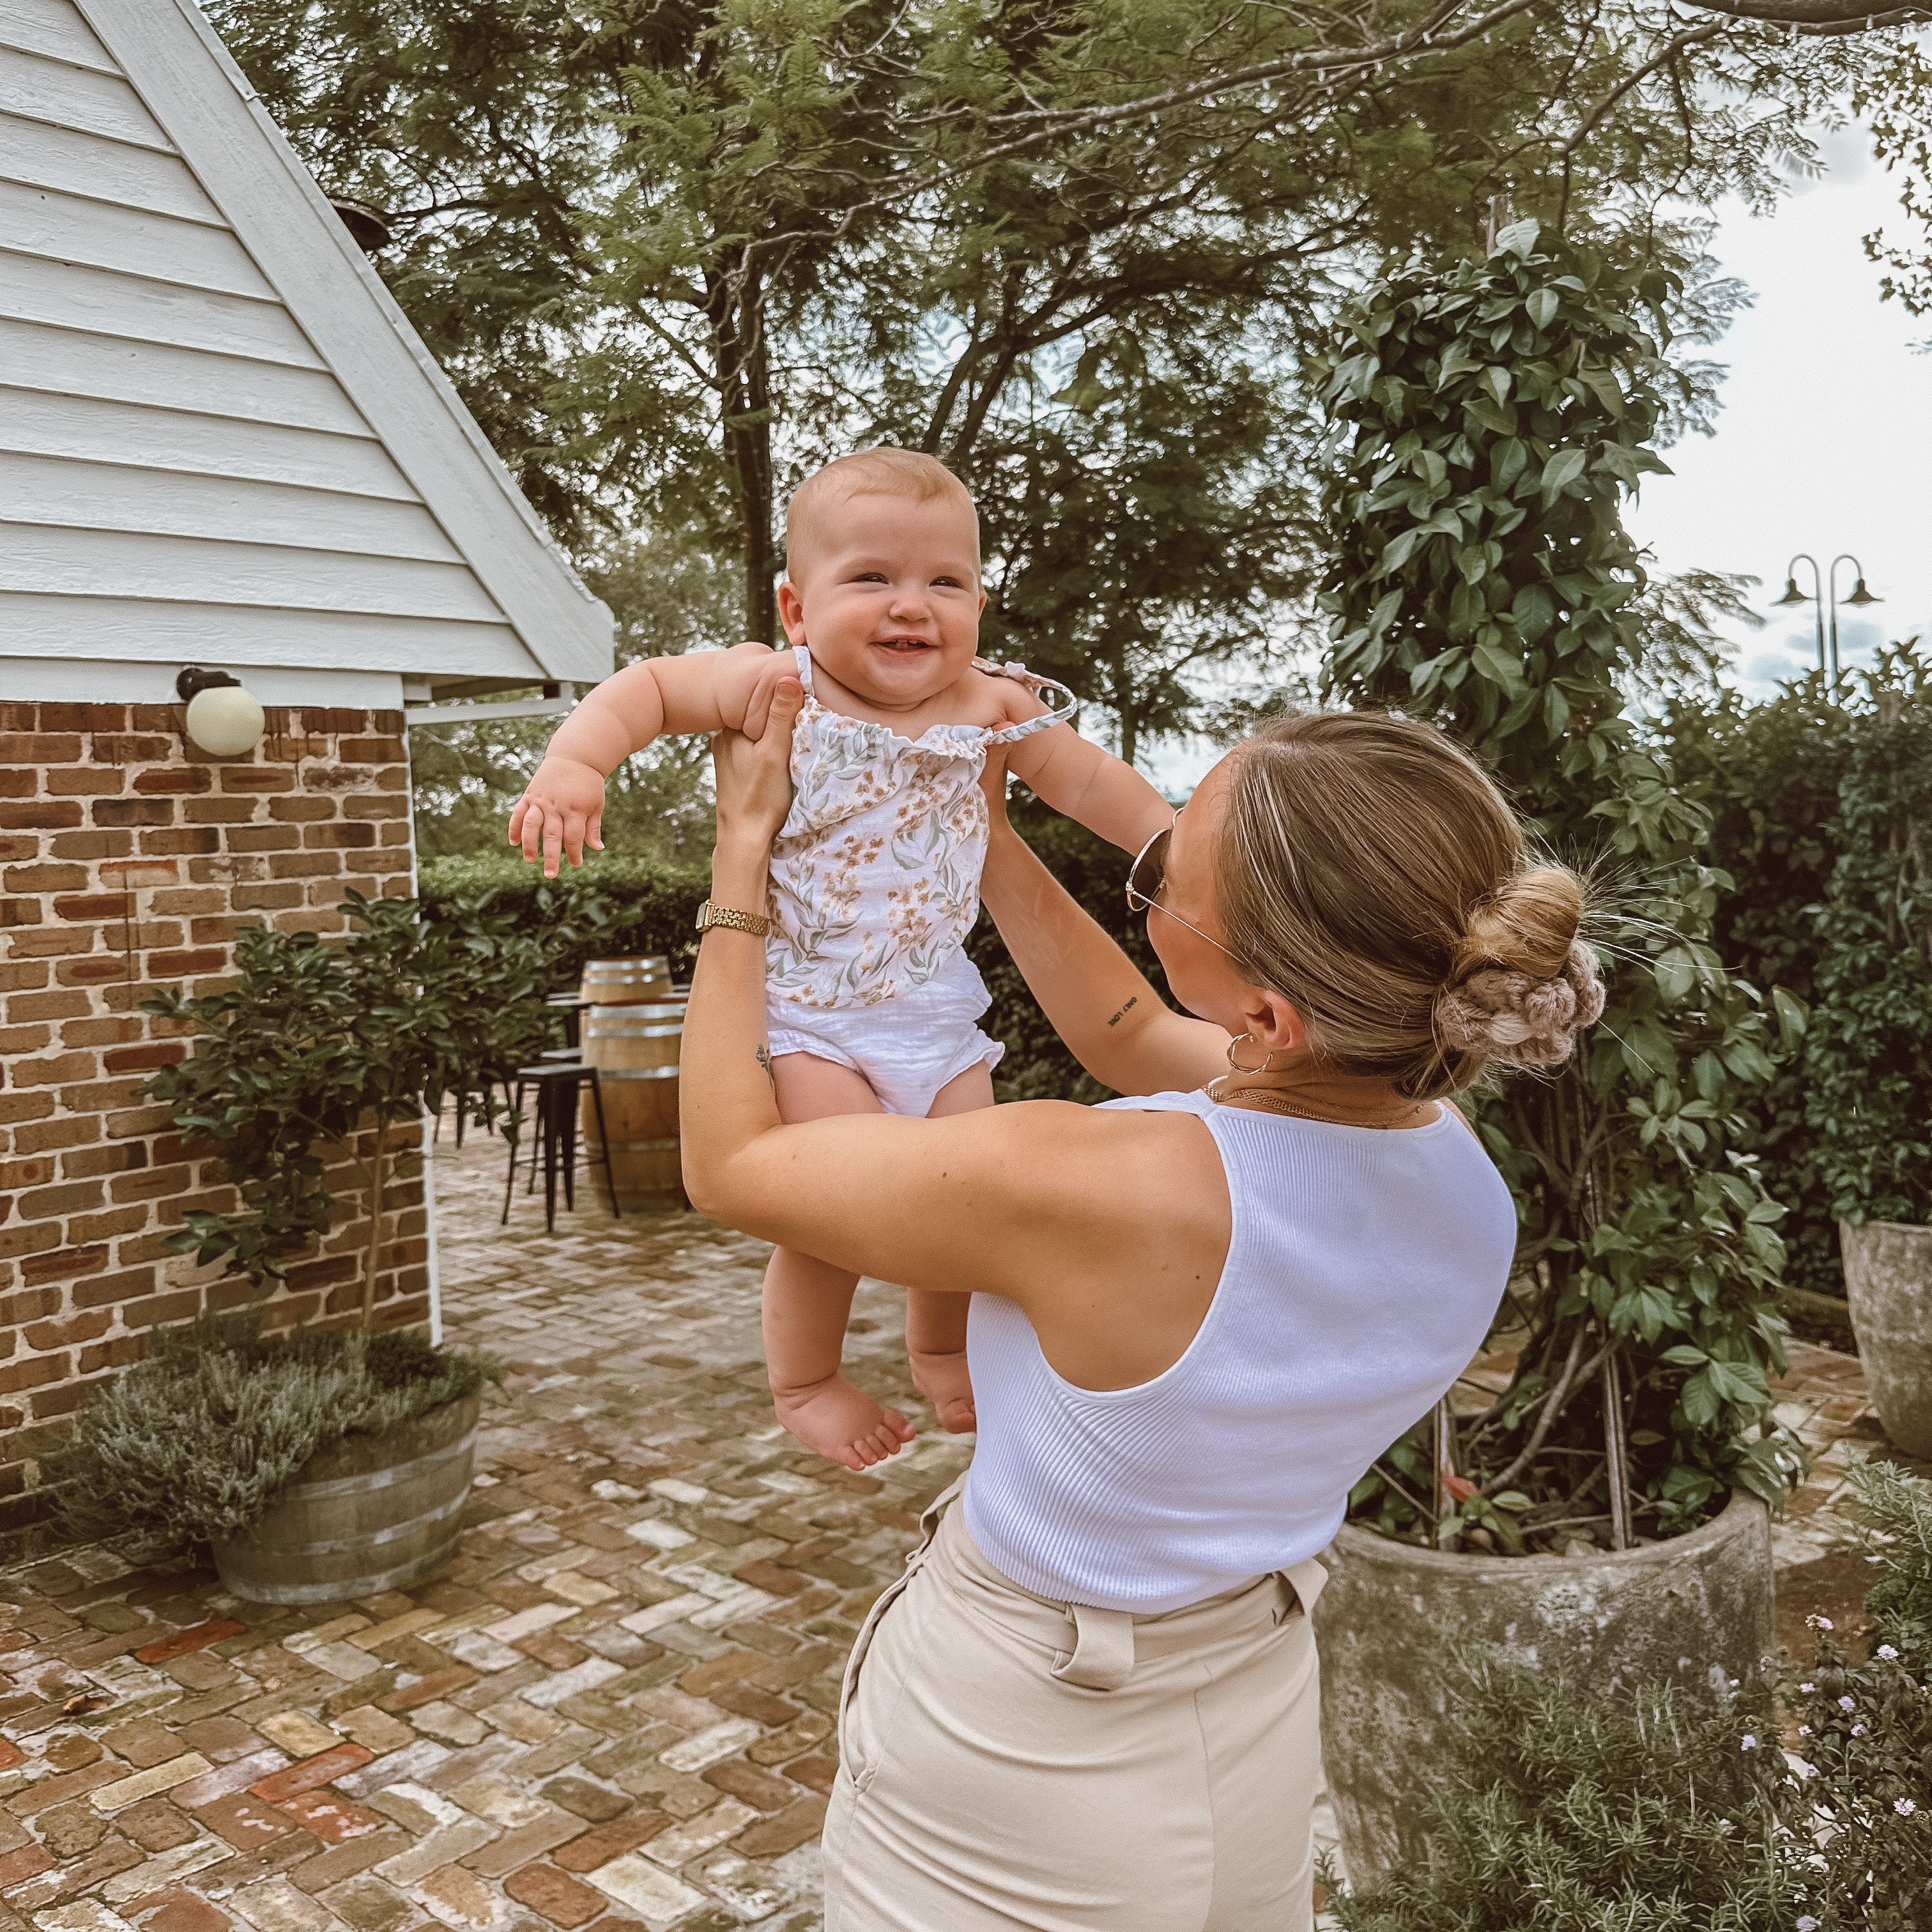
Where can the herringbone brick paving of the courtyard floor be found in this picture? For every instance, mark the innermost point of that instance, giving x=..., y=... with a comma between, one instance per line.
x=615, y=1707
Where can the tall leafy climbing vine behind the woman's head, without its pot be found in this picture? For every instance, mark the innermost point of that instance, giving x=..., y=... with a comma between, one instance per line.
x=1487, y=426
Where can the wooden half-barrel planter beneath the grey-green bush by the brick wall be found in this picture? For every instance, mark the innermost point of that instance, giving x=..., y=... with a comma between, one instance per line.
x=364, y=1516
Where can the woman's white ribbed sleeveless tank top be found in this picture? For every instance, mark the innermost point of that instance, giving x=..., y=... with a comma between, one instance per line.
x=1361, y=1276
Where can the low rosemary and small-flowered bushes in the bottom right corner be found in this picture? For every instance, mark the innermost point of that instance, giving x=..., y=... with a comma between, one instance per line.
x=1558, y=1809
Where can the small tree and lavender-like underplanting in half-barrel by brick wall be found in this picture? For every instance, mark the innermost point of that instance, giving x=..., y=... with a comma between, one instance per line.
x=333, y=1462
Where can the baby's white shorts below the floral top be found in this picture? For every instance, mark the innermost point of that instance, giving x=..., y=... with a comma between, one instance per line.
x=907, y=1048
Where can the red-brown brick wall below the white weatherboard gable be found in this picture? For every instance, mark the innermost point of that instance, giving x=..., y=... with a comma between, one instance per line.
x=128, y=861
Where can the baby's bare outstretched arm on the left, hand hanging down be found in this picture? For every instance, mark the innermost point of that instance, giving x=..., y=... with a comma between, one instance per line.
x=706, y=693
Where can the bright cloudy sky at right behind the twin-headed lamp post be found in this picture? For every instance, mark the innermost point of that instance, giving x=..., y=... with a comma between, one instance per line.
x=1825, y=434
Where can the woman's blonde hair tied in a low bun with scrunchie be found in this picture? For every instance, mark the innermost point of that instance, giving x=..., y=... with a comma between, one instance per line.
x=1377, y=878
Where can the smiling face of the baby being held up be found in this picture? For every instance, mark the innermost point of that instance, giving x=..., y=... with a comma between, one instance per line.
x=890, y=598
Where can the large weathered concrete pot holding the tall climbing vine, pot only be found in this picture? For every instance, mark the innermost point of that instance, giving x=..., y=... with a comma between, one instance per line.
x=1695, y=1610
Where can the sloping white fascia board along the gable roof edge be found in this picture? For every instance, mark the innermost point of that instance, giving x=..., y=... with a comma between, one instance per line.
x=206, y=105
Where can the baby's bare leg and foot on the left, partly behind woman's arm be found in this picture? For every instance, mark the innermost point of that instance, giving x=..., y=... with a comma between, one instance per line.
x=809, y=1301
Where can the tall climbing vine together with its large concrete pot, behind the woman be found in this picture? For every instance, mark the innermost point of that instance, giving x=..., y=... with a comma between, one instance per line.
x=1605, y=1510
